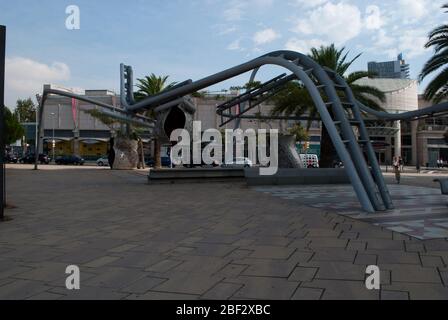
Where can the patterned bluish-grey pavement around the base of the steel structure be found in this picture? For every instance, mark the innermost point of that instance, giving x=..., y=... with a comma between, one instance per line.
x=420, y=212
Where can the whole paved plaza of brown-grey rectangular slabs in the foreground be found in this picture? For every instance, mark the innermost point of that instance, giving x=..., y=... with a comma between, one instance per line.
x=132, y=240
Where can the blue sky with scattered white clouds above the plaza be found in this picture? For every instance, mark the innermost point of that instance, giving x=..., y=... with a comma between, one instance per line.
x=194, y=39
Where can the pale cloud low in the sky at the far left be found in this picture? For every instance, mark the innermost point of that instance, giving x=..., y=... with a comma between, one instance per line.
x=25, y=77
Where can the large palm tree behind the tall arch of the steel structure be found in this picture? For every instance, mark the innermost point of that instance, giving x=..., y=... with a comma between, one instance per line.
x=295, y=99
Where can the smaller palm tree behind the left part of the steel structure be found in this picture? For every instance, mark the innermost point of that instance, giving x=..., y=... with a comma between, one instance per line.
x=149, y=86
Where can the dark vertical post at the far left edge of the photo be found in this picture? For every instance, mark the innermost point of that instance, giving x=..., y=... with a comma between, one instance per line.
x=2, y=119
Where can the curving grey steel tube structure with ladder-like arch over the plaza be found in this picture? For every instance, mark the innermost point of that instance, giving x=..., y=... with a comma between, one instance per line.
x=368, y=182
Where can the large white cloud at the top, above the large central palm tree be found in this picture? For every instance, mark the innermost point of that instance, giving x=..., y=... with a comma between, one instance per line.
x=336, y=22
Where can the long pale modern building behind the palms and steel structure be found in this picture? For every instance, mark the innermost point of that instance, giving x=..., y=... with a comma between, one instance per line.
x=76, y=132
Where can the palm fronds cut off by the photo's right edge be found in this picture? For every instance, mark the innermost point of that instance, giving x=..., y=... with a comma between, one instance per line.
x=437, y=89
